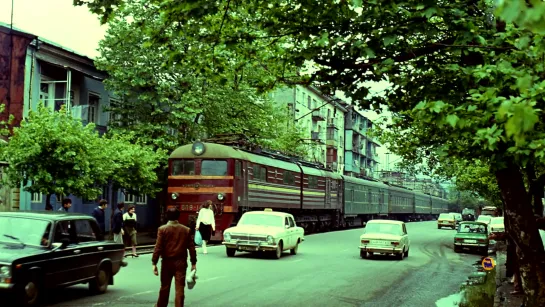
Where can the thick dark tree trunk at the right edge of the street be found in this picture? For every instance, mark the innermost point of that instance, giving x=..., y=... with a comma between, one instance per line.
x=524, y=232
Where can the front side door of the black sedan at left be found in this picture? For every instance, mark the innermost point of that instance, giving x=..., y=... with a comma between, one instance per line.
x=65, y=262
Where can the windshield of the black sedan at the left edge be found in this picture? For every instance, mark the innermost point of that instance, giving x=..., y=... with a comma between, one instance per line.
x=24, y=231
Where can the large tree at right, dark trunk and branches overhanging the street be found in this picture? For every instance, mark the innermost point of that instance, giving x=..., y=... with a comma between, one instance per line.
x=465, y=84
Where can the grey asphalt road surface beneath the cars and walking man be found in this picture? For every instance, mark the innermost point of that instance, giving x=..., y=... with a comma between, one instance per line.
x=327, y=271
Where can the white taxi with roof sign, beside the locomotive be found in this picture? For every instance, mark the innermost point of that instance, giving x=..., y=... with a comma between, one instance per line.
x=264, y=231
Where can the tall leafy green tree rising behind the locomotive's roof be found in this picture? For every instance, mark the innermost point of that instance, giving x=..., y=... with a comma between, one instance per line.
x=172, y=104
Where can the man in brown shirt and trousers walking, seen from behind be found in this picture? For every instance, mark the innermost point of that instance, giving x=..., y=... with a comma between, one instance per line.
x=173, y=243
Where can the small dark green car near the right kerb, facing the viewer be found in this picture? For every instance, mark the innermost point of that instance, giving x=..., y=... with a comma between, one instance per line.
x=473, y=236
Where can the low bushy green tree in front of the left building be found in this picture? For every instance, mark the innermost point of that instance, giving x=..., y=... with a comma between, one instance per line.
x=53, y=153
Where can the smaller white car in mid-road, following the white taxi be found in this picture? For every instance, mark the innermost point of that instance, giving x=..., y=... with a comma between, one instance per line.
x=385, y=237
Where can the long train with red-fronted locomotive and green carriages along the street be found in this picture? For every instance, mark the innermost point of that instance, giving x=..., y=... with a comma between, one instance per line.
x=238, y=180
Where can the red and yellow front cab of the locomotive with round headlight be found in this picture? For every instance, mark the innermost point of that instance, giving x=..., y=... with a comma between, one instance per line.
x=202, y=172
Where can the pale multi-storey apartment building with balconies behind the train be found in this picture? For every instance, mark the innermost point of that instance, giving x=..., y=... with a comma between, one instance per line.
x=337, y=133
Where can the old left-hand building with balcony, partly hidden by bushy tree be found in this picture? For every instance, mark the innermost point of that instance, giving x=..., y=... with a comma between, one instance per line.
x=57, y=77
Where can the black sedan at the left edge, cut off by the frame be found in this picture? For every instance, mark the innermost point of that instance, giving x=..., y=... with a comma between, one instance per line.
x=41, y=250
